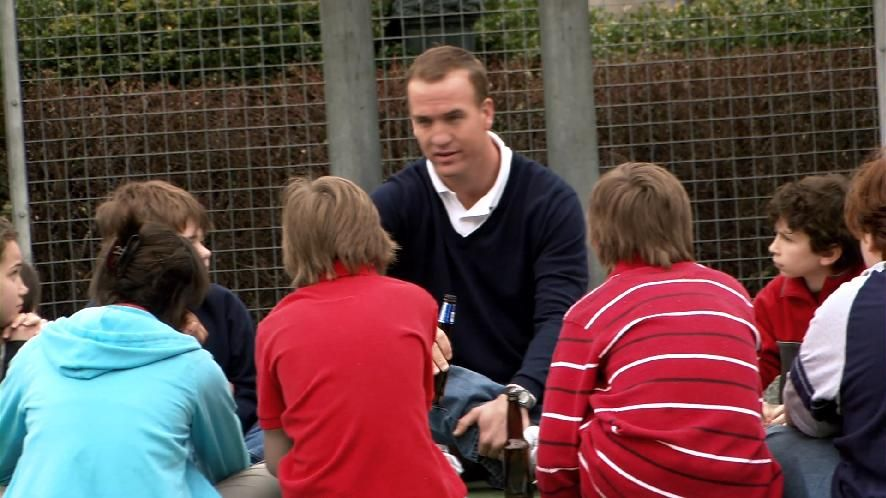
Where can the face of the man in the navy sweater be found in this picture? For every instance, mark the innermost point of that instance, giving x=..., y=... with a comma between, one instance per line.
x=449, y=124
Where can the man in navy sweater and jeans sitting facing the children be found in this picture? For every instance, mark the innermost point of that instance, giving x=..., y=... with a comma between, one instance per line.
x=500, y=231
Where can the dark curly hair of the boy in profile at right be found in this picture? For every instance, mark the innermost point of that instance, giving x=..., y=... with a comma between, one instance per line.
x=815, y=206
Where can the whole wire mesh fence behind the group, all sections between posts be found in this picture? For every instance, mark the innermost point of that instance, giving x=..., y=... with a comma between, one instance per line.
x=226, y=99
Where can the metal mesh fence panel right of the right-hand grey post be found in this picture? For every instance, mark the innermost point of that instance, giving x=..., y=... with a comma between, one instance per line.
x=736, y=101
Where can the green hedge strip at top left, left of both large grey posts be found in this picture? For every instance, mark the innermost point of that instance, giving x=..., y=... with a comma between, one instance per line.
x=165, y=39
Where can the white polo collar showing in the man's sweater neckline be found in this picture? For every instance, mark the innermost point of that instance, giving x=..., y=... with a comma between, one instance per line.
x=465, y=221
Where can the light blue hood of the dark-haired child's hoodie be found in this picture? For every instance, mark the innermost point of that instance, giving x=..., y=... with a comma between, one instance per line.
x=95, y=341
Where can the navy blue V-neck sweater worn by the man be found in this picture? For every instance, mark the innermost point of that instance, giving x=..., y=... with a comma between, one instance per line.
x=514, y=277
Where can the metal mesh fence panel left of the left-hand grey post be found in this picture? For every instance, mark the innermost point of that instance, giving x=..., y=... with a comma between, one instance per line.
x=224, y=99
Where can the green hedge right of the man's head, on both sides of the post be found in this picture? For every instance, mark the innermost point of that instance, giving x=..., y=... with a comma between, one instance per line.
x=718, y=26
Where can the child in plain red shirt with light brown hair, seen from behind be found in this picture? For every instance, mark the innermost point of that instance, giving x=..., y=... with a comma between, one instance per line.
x=345, y=374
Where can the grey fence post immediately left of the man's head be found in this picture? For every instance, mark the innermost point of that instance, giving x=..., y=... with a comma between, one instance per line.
x=351, y=95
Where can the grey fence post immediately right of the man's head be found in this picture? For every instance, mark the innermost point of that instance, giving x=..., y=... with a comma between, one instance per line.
x=570, y=117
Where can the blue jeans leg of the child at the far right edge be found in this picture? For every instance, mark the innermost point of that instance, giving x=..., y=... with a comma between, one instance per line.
x=808, y=463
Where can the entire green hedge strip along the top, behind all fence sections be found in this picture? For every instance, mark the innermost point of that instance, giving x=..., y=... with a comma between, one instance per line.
x=183, y=40
